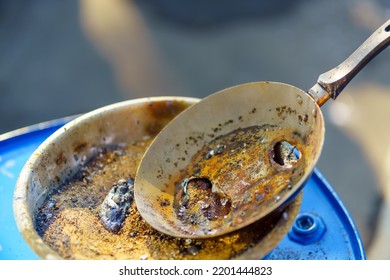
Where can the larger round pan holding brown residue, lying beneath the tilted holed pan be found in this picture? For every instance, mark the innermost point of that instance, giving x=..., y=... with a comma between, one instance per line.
x=76, y=232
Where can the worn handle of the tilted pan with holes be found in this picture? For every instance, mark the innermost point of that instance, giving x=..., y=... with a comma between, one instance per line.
x=331, y=83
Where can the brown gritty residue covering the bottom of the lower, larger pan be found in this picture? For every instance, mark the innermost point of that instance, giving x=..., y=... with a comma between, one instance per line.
x=70, y=222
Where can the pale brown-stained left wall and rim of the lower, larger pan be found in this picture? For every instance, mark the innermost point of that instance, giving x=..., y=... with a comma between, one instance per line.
x=59, y=157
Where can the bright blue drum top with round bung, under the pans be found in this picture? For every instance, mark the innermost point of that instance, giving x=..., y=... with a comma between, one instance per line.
x=323, y=229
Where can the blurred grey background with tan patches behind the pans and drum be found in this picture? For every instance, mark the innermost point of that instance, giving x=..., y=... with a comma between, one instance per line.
x=61, y=58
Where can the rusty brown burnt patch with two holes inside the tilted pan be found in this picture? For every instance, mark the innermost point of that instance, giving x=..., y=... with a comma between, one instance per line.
x=237, y=174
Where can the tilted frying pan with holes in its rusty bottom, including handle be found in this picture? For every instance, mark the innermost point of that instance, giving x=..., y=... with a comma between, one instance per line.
x=240, y=153
